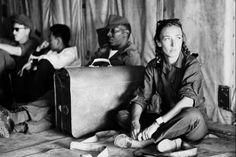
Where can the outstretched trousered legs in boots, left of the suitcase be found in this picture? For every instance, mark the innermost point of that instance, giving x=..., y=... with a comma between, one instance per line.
x=34, y=111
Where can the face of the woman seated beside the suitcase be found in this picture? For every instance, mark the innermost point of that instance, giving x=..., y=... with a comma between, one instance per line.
x=171, y=39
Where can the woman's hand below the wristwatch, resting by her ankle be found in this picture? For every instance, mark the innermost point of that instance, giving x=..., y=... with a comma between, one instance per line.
x=148, y=132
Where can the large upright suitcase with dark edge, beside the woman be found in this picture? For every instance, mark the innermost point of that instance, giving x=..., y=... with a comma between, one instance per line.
x=86, y=97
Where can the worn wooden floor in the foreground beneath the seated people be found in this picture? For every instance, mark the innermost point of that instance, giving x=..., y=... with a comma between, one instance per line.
x=51, y=143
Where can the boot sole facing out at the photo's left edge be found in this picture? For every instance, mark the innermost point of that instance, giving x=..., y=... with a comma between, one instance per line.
x=6, y=124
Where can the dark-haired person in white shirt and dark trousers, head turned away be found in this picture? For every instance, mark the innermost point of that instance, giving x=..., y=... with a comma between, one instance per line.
x=59, y=56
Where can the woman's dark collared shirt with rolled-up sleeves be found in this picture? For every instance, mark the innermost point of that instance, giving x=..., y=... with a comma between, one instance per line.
x=170, y=83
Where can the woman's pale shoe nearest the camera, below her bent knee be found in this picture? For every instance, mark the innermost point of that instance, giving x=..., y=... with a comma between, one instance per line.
x=167, y=145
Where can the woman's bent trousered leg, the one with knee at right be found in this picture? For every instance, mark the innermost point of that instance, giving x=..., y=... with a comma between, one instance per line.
x=189, y=124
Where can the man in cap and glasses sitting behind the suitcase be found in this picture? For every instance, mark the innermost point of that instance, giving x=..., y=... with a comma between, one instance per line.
x=119, y=50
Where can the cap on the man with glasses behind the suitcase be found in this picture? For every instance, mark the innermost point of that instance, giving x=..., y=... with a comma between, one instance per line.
x=115, y=20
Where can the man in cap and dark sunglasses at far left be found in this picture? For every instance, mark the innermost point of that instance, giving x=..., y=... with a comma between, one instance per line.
x=14, y=54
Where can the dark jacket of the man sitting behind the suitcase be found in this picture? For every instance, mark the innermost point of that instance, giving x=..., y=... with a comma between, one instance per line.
x=126, y=56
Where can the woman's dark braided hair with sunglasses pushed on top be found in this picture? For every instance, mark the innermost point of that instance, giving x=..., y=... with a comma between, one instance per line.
x=167, y=23
